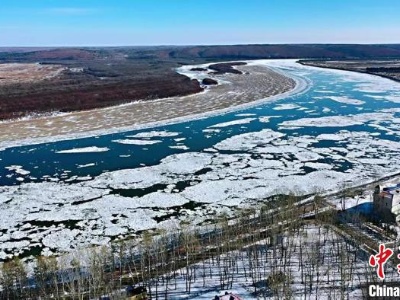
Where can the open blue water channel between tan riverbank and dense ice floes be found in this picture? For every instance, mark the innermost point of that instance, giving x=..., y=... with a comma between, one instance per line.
x=43, y=162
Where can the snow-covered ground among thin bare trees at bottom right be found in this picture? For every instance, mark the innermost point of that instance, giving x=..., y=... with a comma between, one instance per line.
x=312, y=263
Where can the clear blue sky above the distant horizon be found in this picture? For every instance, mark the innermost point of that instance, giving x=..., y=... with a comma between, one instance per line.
x=188, y=22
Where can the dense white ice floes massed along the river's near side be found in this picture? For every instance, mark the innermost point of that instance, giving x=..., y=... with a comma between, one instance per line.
x=232, y=180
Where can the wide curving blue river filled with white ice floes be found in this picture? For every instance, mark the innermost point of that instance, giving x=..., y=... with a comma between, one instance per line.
x=338, y=127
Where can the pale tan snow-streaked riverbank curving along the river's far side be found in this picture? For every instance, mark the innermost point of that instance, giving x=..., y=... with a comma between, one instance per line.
x=257, y=82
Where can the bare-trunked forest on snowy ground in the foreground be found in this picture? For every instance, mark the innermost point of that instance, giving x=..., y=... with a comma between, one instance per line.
x=282, y=249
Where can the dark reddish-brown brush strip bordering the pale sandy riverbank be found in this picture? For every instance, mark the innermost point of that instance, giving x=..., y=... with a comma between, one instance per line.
x=72, y=98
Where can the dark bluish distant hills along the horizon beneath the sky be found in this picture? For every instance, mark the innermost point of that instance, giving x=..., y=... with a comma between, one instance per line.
x=221, y=52
